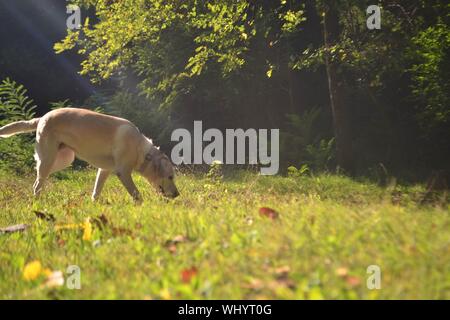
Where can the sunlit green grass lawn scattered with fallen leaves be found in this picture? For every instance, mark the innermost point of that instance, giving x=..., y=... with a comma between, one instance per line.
x=330, y=229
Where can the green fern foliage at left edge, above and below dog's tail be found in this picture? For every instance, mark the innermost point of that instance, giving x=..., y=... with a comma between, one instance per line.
x=16, y=153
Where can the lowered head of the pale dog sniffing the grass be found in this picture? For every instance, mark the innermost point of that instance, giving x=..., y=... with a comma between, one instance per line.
x=158, y=170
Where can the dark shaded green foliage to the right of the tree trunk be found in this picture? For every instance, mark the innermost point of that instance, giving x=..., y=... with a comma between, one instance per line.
x=397, y=75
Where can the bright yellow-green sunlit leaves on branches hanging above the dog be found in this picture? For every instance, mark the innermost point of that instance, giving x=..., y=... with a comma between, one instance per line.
x=168, y=42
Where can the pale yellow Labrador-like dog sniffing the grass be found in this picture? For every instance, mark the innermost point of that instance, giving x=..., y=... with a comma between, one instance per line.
x=111, y=144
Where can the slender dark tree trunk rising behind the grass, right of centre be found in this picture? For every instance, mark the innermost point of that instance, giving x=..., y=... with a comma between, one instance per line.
x=344, y=154
